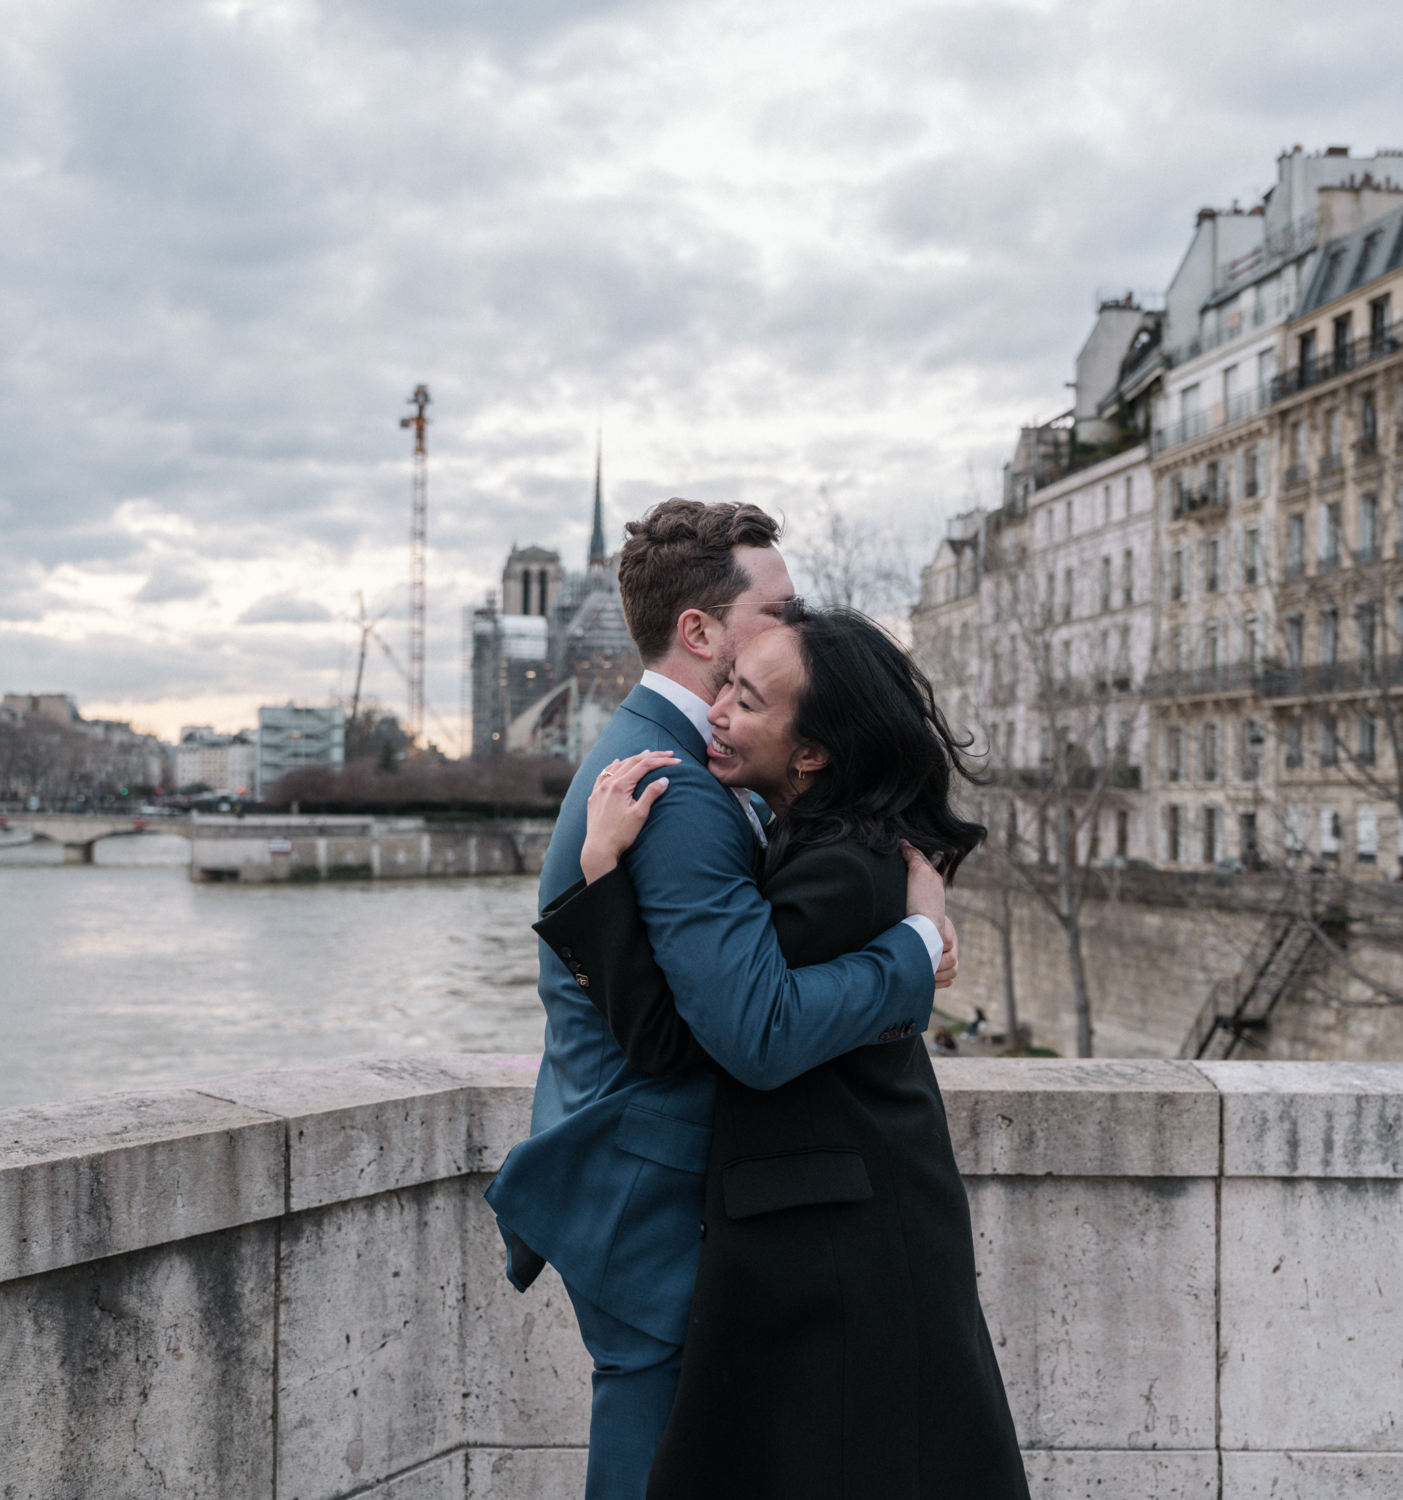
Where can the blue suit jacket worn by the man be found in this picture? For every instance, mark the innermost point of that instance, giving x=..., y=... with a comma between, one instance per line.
x=610, y=1186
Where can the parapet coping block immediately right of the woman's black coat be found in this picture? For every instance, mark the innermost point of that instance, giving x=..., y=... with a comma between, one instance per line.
x=1081, y=1120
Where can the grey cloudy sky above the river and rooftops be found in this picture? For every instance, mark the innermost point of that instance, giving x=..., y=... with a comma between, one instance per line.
x=777, y=251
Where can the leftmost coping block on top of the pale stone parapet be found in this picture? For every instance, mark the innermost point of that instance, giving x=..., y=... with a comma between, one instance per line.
x=119, y=1172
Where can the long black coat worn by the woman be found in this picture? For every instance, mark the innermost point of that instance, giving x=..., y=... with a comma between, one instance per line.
x=837, y=1346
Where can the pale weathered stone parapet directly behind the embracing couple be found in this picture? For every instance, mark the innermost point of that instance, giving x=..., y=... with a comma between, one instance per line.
x=287, y=1285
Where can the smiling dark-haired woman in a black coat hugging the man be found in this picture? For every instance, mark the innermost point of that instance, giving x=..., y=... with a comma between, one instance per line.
x=837, y=1348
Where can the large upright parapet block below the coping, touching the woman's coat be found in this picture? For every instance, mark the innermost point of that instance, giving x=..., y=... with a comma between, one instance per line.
x=1101, y=1303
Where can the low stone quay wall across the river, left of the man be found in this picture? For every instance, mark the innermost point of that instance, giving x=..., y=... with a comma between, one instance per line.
x=305, y=847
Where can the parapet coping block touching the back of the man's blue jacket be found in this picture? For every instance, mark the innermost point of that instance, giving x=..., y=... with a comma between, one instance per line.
x=368, y=1126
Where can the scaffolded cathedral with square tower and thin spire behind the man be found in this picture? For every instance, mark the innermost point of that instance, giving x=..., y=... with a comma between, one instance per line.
x=554, y=664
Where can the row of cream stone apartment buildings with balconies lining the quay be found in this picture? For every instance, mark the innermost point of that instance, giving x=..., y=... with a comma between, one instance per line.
x=1258, y=532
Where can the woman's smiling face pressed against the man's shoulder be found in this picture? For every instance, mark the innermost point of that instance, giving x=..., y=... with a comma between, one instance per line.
x=751, y=722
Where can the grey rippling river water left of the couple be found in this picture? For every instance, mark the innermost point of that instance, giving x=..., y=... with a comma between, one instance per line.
x=124, y=974
